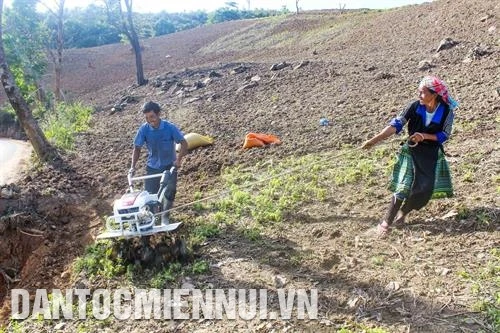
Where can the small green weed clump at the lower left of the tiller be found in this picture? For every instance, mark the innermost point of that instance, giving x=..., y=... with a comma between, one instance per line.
x=99, y=260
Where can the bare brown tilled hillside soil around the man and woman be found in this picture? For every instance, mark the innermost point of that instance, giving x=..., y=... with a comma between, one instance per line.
x=363, y=68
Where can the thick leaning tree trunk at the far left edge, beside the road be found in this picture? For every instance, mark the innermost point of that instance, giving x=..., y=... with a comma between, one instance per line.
x=38, y=140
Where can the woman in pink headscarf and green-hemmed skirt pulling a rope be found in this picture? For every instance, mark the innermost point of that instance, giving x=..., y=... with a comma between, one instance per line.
x=421, y=171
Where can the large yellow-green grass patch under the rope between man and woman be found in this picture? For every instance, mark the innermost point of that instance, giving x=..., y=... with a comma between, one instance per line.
x=259, y=198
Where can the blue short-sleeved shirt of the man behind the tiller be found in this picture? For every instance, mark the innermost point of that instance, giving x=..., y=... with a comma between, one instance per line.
x=160, y=143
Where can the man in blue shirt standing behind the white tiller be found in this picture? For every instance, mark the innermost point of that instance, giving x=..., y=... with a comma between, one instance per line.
x=160, y=137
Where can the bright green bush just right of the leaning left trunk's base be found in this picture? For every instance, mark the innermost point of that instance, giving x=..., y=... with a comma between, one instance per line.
x=67, y=120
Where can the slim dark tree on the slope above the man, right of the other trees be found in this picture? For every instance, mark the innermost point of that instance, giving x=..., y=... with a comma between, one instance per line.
x=125, y=23
